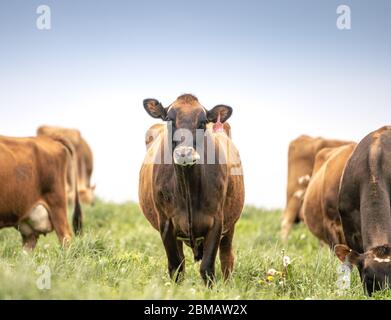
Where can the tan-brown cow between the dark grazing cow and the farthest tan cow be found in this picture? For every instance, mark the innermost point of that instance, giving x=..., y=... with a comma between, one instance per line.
x=319, y=208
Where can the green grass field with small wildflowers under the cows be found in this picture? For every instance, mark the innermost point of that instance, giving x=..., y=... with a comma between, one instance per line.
x=120, y=256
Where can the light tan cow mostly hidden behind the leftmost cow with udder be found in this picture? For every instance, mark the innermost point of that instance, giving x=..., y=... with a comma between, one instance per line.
x=83, y=162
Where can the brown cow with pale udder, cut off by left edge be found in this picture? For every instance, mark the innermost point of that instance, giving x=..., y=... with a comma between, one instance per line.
x=32, y=189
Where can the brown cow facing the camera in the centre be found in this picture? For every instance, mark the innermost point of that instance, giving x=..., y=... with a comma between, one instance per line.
x=189, y=196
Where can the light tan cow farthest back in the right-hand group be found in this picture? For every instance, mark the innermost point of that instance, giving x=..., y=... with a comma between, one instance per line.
x=301, y=158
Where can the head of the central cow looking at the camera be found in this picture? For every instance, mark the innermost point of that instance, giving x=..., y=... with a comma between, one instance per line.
x=188, y=119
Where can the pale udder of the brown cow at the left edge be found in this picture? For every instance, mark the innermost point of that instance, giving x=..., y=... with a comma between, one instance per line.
x=36, y=221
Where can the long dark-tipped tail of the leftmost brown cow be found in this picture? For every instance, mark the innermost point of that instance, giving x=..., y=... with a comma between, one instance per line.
x=77, y=217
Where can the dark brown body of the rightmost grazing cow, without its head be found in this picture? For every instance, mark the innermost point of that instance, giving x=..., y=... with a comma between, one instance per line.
x=364, y=200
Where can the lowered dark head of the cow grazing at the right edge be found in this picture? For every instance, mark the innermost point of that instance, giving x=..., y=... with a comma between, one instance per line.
x=373, y=265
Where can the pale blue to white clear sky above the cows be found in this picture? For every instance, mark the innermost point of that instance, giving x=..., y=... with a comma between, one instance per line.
x=284, y=67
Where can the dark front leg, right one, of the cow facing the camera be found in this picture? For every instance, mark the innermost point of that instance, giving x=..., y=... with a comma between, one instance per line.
x=211, y=245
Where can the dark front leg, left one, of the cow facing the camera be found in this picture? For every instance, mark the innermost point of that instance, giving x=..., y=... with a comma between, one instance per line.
x=174, y=251
